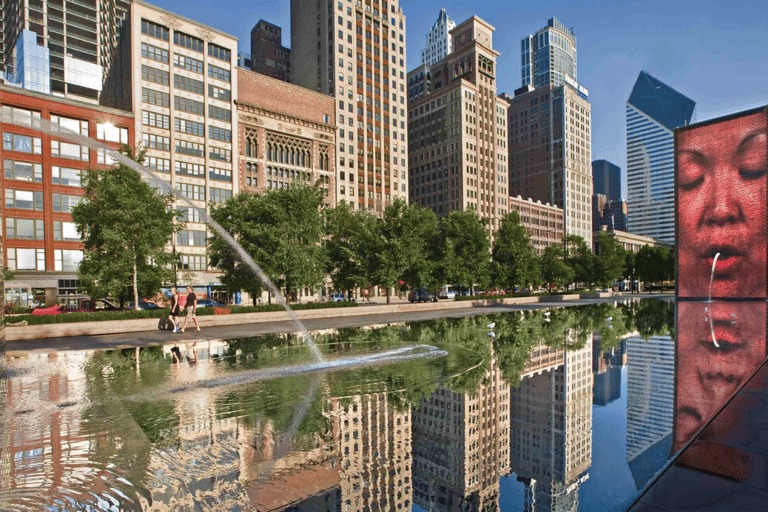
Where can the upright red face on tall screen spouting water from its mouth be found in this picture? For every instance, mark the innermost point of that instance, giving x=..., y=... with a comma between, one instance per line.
x=722, y=208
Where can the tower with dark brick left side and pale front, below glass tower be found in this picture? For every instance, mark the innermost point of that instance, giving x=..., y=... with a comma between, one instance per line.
x=550, y=147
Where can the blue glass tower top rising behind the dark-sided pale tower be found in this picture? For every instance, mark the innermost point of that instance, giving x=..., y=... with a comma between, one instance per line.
x=549, y=57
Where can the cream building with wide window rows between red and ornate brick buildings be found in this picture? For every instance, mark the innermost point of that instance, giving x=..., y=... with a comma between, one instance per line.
x=183, y=103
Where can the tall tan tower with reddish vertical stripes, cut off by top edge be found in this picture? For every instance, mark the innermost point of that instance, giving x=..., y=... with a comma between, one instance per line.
x=356, y=53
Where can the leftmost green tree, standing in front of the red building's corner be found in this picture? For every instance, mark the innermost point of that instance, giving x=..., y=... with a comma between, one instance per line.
x=125, y=226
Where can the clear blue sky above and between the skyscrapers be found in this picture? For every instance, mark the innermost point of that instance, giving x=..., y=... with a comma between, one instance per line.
x=714, y=52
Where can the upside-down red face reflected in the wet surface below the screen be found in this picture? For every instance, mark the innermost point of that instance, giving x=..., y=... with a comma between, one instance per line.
x=709, y=373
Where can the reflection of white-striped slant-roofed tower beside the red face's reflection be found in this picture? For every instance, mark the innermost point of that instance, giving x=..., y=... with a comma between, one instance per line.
x=650, y=397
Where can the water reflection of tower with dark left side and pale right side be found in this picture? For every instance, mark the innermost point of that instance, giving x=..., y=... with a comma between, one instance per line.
x=551, y=429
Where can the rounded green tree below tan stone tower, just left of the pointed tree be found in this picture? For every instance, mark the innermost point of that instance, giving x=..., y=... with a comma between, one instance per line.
x=464, y=247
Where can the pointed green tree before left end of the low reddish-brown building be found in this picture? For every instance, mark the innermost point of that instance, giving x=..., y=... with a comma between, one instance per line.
x=514, y=258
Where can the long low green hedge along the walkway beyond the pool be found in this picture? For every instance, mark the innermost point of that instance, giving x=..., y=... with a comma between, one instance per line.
x=101, y=316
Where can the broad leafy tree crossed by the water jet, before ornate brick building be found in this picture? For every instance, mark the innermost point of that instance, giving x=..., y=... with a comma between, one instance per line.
x=280, y=230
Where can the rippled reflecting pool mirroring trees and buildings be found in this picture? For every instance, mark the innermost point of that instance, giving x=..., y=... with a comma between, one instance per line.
x=426, y=415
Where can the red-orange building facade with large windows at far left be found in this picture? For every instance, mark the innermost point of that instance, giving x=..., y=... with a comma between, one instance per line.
x=42, y=182
